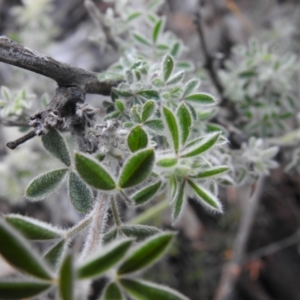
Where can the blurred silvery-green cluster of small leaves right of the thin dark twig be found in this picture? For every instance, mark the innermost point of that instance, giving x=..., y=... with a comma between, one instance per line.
x=260, y=84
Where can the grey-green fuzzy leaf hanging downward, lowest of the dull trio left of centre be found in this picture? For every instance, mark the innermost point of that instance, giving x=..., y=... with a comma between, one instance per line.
x=80, y=194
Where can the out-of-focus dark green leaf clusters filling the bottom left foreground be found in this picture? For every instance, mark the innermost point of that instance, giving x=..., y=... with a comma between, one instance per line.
x=57, y=267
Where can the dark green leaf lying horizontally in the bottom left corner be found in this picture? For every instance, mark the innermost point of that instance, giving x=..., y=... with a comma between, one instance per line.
x=20, y=289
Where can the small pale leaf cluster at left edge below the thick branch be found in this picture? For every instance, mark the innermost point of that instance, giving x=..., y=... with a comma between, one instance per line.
x=14, y=106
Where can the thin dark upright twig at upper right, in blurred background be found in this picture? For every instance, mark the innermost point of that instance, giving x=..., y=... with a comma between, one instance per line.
x=209, y=59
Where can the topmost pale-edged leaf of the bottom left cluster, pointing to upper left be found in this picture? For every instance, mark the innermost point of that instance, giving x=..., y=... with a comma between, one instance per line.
x=33, y=229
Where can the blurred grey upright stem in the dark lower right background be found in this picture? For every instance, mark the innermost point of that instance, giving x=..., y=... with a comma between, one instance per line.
x=232, y=269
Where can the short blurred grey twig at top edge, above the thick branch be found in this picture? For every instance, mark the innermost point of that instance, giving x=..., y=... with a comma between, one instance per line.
x=97, y=18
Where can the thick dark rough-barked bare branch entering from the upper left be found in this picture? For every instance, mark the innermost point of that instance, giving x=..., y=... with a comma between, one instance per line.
x=65, y=75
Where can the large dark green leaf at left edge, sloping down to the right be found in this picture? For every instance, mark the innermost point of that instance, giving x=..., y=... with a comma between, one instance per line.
x=15, y=249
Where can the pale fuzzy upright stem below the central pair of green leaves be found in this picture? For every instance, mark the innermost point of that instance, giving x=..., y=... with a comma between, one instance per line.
x=99, y=217
